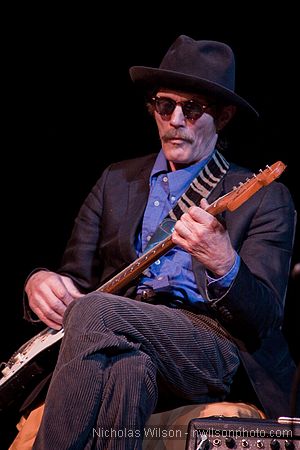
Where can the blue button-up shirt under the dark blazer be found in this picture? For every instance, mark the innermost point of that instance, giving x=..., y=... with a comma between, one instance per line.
x=173, y=272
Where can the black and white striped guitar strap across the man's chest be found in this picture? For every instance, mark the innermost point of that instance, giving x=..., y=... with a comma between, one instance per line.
x=201, y=186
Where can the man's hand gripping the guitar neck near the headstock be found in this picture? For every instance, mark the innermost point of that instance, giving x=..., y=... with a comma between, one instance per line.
x=205, y=238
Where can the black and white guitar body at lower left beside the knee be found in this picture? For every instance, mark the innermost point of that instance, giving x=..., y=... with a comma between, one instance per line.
x=28, y=367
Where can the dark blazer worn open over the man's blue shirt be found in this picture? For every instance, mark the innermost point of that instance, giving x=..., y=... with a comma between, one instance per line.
x=261, y=231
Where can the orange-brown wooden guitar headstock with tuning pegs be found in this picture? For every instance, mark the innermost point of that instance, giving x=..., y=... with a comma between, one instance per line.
x=243, y=191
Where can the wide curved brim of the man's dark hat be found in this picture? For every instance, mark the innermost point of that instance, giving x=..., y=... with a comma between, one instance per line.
x=150, y=78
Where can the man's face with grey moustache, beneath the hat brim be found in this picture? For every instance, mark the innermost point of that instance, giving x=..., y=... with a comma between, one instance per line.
x=185, y=140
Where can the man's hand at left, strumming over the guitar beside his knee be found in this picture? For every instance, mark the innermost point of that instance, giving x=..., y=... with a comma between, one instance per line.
x=49, y=294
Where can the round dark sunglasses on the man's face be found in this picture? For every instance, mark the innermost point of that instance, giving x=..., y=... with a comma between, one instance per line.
x=191, y=109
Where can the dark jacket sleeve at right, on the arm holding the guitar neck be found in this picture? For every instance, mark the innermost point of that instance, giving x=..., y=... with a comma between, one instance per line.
x=262, y=231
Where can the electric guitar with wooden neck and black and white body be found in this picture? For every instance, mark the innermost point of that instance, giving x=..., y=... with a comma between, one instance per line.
x=36, y=358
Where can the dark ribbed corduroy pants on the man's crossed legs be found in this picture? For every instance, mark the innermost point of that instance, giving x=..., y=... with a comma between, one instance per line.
x=104, y=387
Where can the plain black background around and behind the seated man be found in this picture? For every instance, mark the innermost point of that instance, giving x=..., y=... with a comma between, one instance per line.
x=70, y=109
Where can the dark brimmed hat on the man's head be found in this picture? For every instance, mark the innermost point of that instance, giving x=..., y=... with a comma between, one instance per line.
x=207, y=67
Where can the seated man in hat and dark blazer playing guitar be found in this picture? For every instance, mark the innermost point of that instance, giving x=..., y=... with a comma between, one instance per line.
x=215, y=298
